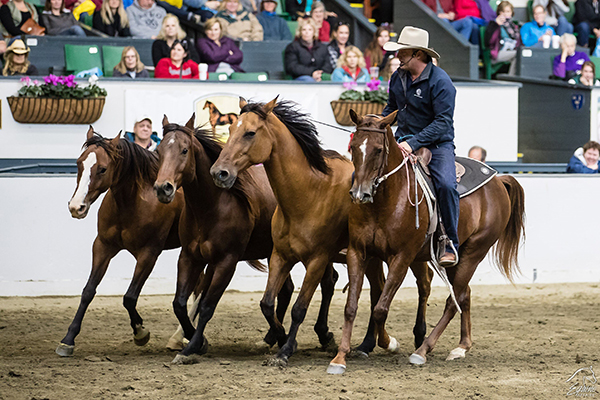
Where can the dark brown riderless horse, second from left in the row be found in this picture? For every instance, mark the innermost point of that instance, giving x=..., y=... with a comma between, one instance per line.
x=218, y=228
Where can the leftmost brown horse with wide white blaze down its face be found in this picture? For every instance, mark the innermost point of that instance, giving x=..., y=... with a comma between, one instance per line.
x=129, y=218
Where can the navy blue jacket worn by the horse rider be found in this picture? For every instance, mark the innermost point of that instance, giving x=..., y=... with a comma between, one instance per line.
x=426, y=109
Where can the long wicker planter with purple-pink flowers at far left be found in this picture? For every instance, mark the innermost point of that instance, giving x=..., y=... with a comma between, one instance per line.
x=58, y=100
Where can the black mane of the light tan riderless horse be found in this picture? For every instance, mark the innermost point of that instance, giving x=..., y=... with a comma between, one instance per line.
x=302, y=129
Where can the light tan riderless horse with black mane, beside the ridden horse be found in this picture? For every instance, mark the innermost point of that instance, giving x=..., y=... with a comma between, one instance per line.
x=311, y=221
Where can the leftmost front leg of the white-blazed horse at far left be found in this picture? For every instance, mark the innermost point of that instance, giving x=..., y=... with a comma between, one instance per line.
x=101, y=256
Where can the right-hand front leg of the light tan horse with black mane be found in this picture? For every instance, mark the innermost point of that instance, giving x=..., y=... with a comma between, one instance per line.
x=314, y=273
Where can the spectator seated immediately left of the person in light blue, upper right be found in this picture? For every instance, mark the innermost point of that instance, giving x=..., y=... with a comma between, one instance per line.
x=503, y=38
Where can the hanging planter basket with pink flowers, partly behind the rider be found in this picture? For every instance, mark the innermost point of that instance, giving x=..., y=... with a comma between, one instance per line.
x=372, y=100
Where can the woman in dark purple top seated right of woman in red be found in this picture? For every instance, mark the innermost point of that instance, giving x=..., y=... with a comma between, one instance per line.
x=218, y=51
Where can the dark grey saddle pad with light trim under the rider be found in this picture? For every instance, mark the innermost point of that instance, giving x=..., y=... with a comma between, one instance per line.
x=476, y=174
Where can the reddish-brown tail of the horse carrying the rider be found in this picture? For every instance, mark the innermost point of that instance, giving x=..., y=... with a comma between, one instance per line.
x=507, y=249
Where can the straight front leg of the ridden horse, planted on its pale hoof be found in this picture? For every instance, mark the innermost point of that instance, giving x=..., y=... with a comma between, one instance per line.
x=356, y=274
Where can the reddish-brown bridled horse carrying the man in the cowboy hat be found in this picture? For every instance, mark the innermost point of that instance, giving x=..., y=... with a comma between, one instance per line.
x=382, y=226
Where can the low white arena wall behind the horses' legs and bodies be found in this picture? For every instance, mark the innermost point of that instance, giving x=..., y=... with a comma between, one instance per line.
x=43, y=251
